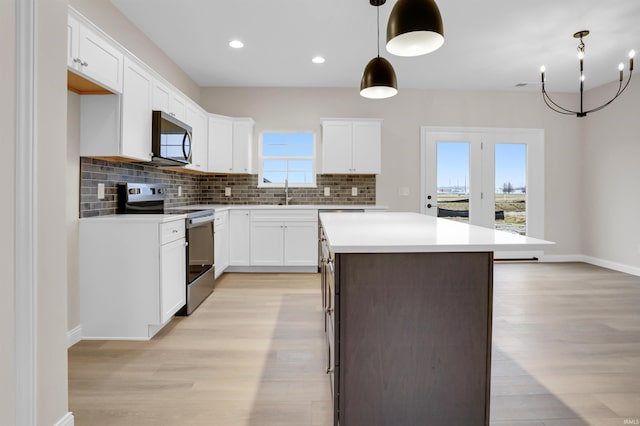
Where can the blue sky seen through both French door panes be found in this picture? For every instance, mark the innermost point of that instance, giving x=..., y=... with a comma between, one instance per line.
x=453, y=166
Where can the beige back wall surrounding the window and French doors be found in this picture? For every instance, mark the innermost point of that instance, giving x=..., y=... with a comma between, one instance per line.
x=299, y=108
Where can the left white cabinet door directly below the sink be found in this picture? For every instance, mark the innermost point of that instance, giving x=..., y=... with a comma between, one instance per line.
x=267, y=244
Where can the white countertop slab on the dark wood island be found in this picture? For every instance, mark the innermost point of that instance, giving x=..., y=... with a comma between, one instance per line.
x=390, y=232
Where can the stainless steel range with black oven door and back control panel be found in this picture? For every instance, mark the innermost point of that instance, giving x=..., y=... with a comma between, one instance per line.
x=200, y=279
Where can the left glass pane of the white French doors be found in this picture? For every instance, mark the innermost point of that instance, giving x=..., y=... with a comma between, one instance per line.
x=453, y=180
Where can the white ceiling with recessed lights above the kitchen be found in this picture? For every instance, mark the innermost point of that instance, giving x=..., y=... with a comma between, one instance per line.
x=489, y=44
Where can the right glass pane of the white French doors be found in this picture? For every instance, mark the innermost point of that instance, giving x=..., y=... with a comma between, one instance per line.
x=511, y=188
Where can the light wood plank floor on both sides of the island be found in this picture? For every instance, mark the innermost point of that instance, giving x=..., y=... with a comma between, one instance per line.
x=566, y=352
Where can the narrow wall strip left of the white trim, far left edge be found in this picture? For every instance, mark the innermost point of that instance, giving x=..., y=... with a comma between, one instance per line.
x=7, y=214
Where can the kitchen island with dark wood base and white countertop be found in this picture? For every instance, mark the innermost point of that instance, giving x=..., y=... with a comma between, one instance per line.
x=408, y=306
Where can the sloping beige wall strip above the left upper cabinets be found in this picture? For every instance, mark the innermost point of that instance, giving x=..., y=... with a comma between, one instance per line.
x=110, y=20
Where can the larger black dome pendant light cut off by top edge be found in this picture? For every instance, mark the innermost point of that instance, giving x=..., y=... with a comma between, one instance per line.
x=414, y=28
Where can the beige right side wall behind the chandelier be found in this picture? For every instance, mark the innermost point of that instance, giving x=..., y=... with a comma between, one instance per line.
x=611, y=178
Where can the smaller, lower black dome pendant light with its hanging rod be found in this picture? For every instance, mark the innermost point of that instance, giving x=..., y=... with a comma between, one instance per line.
x=379, y=78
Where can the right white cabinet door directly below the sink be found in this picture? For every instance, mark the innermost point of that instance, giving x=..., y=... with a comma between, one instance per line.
x=301, y=244
